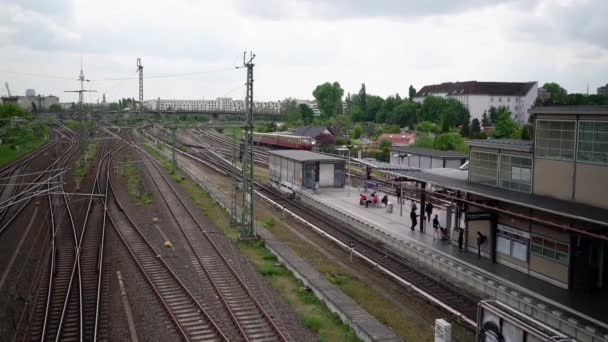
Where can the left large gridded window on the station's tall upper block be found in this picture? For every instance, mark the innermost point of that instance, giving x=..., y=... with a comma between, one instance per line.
x=555, y=139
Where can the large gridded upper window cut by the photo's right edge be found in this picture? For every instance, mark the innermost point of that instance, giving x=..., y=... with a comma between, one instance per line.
x=593, y=142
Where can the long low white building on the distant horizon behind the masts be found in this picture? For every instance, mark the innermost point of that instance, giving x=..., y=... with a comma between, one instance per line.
x=219, y=104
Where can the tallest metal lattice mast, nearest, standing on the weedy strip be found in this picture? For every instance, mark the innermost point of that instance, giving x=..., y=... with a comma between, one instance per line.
x=247, y=213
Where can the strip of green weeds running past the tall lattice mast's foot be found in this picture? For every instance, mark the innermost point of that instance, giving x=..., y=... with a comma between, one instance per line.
x=310, y=310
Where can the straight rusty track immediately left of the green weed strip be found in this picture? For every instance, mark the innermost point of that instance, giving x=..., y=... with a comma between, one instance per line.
x=249, y=317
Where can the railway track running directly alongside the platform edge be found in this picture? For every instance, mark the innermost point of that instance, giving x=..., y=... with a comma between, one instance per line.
x=459, y=303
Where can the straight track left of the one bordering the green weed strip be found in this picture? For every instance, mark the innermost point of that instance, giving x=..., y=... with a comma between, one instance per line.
x=190, y=319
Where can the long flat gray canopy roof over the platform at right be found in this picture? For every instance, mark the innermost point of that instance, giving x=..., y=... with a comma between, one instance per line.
x=570, y=209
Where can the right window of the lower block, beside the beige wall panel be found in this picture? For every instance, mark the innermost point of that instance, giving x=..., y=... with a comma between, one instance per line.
x=516, y=172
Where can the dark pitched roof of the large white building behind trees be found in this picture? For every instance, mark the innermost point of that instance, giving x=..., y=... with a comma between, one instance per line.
x=477, y=88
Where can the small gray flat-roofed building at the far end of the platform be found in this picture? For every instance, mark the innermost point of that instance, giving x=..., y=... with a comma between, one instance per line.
x=304, y=170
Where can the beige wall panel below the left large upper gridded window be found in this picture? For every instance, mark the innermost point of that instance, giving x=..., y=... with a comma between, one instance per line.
x=553, y=178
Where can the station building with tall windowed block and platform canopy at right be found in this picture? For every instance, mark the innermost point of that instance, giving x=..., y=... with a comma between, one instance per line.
x=542, y=205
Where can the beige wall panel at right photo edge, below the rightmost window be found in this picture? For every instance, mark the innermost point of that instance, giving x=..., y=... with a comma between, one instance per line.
x=591, y=184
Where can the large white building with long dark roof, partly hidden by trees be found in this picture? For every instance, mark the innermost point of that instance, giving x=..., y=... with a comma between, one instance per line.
x=478, y=97
